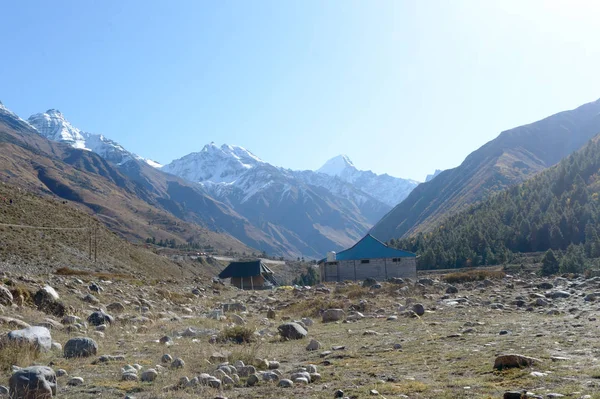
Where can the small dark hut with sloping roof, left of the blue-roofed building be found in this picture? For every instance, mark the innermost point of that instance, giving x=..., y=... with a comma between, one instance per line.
x=252, y=275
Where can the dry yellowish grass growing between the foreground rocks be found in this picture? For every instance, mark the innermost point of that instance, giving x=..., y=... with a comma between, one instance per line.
x=438, y=360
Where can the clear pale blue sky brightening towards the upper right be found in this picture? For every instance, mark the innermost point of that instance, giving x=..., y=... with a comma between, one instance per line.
x=401, y=87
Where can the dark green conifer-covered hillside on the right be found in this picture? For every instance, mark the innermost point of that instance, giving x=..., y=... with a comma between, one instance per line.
x=557, y=209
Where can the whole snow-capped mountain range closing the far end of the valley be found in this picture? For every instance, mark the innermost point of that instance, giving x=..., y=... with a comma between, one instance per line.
x=281, y=211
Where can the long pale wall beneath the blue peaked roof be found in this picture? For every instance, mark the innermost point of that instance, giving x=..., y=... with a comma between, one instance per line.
x=379, y=269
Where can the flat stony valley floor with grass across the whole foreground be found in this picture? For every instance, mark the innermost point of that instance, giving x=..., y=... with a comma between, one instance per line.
x=448, y=352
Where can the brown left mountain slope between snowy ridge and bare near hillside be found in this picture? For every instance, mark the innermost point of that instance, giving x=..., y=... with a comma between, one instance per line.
x=130, y=199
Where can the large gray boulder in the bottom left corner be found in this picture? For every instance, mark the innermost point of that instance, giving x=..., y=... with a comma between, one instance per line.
x=35, y=382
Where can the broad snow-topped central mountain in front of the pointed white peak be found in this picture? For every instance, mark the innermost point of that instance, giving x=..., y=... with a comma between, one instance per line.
x=306, y=212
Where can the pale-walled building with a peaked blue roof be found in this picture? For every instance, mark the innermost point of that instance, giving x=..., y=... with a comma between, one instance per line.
x=368, y=258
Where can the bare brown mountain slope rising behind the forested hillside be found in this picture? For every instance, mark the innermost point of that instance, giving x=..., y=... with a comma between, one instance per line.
x=513, y=157
